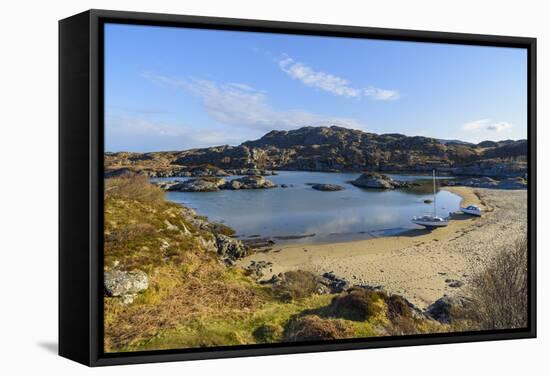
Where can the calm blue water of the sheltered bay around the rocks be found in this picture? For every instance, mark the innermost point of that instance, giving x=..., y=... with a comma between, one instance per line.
x=352, y=213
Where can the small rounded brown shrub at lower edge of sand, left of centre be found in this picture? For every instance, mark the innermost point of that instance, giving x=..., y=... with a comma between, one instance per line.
x=296, y=284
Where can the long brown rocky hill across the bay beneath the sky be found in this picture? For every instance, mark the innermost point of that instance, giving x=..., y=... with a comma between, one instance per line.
x=337, y=149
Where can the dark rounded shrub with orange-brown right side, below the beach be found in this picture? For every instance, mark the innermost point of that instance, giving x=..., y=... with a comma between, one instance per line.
x=358, y=304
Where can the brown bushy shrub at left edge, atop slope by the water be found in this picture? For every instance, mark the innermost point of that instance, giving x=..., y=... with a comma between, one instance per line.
x=133, y=187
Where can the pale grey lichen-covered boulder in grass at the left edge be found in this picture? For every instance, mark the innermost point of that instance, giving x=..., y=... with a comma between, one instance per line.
x=125, y=284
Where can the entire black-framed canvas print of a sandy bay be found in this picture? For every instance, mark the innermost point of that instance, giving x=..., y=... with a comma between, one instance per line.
x=236, y=187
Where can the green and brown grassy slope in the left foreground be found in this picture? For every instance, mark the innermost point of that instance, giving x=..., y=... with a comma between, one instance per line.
x=194, y=299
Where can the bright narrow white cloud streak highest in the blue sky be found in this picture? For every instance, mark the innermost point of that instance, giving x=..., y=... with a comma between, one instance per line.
x=331, y=83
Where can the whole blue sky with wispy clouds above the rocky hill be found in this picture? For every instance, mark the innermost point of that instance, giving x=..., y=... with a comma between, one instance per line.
x=173, y=89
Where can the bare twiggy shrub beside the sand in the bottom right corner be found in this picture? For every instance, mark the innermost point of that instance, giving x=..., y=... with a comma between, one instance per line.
x=499, y=294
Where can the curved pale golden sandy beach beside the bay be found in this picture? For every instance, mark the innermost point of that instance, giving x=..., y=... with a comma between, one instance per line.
x=418, y=264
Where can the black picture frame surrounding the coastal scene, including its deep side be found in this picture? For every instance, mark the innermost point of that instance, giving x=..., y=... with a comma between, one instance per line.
x=81, y=185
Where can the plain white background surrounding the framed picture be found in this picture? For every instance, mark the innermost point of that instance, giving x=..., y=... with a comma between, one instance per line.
x=28, y=204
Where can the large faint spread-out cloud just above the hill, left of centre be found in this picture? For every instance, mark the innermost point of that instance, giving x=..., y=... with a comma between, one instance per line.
x=239, y=104
